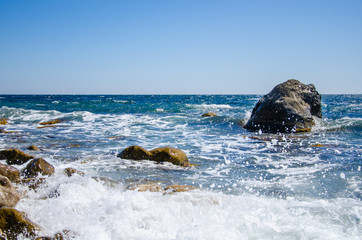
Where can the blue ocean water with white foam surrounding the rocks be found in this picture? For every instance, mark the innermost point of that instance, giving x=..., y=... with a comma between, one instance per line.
x=251, y=185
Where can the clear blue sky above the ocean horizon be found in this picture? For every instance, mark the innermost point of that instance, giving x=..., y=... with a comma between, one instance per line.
x=179, y=46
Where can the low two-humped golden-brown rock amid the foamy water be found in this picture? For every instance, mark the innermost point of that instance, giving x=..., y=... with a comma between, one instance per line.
x=164, y=154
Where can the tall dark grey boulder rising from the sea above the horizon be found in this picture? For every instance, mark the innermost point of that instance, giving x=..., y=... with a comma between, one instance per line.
x=289, y=107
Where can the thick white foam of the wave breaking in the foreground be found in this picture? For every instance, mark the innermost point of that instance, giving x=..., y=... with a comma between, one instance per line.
x=95, y=211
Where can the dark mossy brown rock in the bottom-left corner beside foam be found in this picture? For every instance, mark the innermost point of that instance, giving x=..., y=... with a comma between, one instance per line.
x=14, y=223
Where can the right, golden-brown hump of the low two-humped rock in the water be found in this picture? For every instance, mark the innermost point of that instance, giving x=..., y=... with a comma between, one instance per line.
x=169, y=154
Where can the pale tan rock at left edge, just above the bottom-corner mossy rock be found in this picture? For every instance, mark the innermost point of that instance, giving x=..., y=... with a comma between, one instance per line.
x=9, y=197
